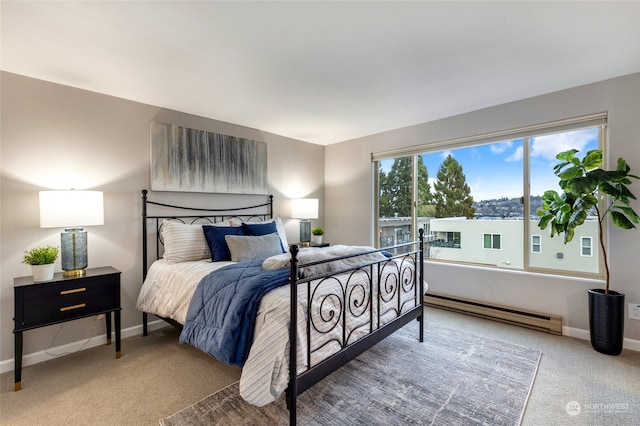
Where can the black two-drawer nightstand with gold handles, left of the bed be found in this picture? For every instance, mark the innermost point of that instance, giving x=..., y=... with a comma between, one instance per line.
x=65, y=299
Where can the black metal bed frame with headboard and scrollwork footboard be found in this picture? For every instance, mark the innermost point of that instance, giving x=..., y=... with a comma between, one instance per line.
x=408, y=259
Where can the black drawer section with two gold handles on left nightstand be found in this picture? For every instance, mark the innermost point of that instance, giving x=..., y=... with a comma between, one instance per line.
x=55, y=302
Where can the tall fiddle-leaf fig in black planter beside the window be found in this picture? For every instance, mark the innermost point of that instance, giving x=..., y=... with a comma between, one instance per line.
x=582, y=182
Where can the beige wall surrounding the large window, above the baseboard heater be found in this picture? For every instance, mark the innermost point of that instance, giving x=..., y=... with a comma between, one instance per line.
x=348, y=191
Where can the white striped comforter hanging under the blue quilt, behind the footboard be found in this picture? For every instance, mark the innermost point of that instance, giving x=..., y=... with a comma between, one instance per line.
x=168, y=289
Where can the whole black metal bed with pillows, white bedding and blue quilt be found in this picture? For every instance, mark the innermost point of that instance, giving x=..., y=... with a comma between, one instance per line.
x=318, y=308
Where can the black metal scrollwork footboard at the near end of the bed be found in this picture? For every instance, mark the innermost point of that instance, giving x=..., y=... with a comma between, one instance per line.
x=412, y=253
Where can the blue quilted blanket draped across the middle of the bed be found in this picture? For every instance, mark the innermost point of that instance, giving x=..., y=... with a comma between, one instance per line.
x=221, y=317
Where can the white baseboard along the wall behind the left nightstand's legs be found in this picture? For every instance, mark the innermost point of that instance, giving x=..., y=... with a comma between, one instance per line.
x=42, y=356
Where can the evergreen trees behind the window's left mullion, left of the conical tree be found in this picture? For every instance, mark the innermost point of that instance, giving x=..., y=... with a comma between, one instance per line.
x=395, y=187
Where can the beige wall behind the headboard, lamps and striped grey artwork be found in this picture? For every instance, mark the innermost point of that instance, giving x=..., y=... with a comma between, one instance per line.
x=58, y=137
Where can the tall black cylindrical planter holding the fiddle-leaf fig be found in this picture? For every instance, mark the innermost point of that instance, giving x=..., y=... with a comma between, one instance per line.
x=606, y=321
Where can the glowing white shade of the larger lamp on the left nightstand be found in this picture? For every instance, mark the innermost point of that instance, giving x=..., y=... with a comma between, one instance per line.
x=59, y=209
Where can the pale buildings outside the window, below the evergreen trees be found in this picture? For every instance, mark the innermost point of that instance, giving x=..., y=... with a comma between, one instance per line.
x=499, y=243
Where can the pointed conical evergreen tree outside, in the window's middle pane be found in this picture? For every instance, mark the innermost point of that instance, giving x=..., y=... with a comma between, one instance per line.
x=452, y=194
